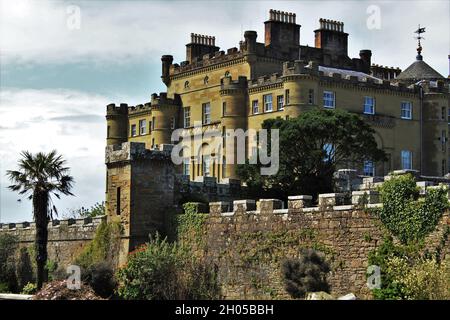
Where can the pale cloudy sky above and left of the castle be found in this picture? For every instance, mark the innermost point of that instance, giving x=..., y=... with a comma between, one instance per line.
x=61, y=62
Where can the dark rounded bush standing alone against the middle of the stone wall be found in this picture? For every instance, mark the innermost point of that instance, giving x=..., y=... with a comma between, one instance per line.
x=307, y=274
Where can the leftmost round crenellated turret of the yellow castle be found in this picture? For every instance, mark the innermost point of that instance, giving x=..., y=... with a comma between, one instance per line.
x=117, y=123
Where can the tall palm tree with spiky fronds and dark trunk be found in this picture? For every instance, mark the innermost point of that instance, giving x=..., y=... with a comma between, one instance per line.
x=40, y=177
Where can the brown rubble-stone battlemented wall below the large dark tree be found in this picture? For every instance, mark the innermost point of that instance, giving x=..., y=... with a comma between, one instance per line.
x=249, y=246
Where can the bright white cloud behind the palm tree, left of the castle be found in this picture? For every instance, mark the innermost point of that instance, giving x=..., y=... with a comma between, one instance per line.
x=41, y=120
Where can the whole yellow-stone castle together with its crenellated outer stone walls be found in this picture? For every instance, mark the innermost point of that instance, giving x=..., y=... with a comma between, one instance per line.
x=239, y=89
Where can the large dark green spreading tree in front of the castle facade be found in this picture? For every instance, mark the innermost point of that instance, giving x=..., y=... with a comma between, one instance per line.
x=311, y=147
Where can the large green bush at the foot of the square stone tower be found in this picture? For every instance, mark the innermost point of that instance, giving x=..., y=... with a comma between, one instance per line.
x=161, y=270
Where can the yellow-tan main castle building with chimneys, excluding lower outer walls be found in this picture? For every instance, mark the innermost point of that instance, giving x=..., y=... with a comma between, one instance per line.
x=241, y=87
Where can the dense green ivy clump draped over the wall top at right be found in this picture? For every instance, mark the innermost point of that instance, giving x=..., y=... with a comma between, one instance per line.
x=404, y=214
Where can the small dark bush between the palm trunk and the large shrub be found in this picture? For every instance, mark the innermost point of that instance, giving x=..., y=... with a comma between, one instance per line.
x=100, y=277
